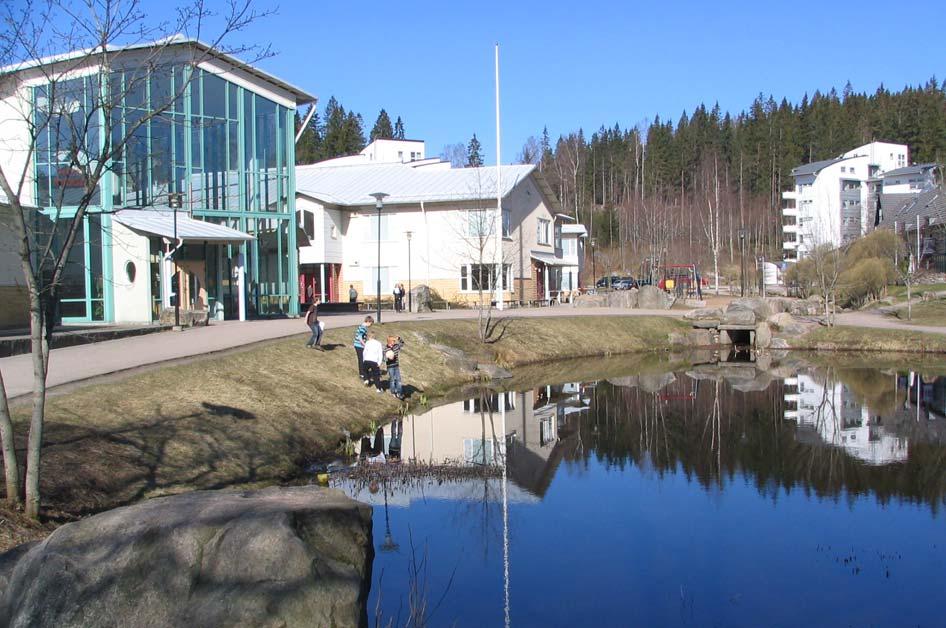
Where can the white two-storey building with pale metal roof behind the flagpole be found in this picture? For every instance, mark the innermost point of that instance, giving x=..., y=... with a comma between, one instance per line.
x=437, y=228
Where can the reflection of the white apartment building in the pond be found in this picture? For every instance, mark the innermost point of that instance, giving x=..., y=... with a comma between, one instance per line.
x=830, y=412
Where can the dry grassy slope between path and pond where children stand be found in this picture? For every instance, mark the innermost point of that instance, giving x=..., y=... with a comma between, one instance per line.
x=256, y=415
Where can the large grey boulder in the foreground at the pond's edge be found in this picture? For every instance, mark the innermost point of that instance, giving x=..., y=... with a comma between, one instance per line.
x=278, y=557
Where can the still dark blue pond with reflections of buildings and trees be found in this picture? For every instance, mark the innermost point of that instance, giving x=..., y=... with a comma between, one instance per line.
x=712, y=496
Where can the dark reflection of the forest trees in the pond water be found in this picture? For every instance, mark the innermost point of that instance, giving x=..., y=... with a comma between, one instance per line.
x=712, y=433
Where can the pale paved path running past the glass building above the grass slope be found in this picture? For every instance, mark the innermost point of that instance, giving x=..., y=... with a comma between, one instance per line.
x=75, y=364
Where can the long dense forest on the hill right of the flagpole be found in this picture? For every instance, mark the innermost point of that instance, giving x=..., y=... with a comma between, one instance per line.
x=681, y=192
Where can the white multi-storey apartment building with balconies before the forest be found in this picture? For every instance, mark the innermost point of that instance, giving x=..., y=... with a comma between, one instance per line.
x=834, y=201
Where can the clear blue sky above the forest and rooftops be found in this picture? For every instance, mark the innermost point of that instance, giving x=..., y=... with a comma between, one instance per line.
x=583, y=64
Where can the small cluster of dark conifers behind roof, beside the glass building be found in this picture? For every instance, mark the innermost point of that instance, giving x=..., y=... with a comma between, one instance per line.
x=337, y=132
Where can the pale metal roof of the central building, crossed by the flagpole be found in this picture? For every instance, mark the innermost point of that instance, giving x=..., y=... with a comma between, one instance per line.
x=352, y=185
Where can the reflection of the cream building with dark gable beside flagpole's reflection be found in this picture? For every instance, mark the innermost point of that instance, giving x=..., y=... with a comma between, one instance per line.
x=539, y=426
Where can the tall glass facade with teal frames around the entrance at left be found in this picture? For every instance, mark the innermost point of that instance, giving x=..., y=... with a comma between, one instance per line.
x=226, y=150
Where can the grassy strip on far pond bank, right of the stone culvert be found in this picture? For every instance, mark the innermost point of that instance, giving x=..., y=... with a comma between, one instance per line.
x=841, y=338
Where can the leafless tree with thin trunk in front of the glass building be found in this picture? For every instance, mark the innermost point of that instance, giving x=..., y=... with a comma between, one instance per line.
x=78, y=109
